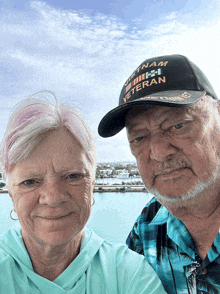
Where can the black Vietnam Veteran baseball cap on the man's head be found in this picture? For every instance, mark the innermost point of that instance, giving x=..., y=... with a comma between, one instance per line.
x=171, y=80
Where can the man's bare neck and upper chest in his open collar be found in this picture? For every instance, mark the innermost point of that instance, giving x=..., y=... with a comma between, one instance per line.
x=201, y=216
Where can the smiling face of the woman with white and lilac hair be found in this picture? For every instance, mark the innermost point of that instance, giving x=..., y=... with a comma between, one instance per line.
x=52, y=189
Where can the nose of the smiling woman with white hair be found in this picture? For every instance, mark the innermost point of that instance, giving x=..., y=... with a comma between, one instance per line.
x=53, y=193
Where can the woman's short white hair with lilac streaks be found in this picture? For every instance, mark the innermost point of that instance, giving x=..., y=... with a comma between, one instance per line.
x=31, y=120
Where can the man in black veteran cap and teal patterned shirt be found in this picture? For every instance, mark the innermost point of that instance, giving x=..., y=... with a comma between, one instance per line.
x=172, y=117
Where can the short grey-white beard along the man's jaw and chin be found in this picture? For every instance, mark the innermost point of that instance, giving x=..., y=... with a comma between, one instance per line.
x=197, y=189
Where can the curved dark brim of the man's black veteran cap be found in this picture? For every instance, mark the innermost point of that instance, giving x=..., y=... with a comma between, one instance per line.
x=114, y=121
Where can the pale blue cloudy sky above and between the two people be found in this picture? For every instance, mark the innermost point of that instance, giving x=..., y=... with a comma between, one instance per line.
x=83, y=51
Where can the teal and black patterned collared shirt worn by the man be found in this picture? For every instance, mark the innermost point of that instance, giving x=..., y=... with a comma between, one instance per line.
x=169, y=248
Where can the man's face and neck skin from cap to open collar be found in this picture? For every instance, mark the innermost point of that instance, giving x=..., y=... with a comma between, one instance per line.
x=177, y=152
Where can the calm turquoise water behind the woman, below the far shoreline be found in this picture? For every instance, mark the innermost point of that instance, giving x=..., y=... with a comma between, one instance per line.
x=112, y=217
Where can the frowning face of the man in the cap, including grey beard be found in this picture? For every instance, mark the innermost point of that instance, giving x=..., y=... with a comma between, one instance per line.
x=177, y=149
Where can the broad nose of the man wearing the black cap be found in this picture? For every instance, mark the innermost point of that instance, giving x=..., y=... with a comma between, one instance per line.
x=160, y=147
